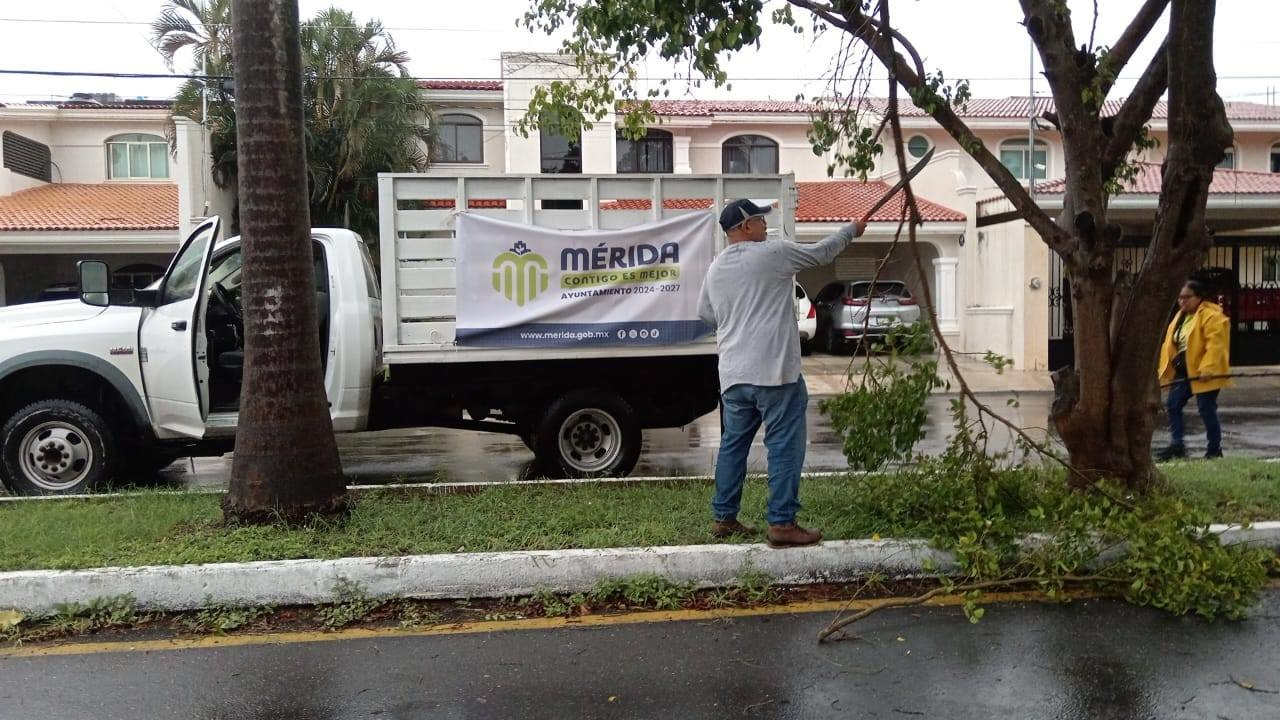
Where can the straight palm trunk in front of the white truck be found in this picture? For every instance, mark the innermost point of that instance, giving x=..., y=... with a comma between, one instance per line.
x=286, y=466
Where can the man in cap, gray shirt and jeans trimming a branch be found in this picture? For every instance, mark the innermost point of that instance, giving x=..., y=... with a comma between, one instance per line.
x=748, y=298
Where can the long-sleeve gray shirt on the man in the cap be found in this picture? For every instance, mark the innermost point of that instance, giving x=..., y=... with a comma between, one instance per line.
x=749, y=298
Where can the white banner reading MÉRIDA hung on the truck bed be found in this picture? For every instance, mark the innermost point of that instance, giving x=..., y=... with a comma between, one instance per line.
x=524, y=286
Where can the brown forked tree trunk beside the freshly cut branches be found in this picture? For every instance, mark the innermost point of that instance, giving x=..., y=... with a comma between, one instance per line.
x=1108, y=405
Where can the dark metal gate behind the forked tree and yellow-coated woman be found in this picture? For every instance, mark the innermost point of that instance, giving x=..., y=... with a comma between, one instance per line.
x=1242, y=275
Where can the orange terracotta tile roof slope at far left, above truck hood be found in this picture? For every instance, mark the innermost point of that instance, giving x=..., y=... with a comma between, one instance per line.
x=106, y=207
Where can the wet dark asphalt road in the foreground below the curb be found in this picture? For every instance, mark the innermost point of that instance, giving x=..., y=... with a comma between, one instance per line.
x=1092, y=660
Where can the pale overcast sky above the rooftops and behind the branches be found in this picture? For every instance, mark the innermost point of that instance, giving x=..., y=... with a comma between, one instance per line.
x=979, y=40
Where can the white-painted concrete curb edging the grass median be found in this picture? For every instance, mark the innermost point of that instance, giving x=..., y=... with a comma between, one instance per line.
x=490, y=575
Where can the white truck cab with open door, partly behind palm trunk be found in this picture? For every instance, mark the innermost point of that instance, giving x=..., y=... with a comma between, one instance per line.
x=108, y=386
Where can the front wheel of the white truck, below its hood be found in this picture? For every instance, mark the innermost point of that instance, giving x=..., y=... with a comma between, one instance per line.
x=56, y=448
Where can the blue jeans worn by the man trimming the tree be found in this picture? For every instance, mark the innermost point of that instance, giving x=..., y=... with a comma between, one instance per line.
x=783, y=411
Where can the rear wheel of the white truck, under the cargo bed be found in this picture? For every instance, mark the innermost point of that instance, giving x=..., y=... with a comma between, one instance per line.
x=588, y=434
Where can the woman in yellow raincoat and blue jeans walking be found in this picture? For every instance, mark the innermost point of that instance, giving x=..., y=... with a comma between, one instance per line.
x=1196, y=359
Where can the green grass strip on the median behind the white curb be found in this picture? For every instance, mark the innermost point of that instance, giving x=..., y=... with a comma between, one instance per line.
x=167, y=528
